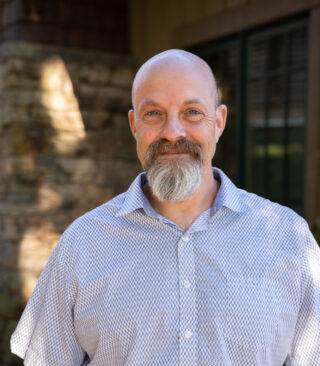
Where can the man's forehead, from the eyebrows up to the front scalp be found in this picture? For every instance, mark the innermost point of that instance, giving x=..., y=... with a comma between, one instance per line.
x=174, y=81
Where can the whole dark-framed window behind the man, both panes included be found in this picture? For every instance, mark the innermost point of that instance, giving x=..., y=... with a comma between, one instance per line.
x=262, y=78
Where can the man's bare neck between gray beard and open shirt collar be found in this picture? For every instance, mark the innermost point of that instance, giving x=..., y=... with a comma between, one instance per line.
x=184, y=213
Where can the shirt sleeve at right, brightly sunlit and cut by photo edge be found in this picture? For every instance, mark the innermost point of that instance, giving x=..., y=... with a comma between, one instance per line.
x=305, y=348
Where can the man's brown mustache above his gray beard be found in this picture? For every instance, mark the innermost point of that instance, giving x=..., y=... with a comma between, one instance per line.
x=181, y=146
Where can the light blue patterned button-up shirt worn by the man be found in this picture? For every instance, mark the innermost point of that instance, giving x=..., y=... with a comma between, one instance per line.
x=126, y=286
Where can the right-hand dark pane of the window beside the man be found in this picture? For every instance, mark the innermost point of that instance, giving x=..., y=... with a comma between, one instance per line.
x=276, y=112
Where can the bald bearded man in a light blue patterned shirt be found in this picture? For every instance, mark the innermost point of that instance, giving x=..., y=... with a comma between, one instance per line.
x=183, y=268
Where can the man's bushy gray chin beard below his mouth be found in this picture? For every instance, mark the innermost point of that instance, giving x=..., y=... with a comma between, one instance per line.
x=174, y=180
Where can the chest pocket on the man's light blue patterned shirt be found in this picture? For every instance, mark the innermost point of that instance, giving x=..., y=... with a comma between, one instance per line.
x=252, y=311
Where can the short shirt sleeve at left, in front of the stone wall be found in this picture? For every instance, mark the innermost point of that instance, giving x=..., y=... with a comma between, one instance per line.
x=45, y=333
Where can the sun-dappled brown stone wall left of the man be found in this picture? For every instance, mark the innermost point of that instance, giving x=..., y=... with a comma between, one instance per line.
x=65, y=147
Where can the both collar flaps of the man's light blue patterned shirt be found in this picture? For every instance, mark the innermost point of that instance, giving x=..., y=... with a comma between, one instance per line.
x=228, y=196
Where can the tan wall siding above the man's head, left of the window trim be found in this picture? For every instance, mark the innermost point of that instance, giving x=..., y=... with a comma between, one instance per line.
x=153, y=22
